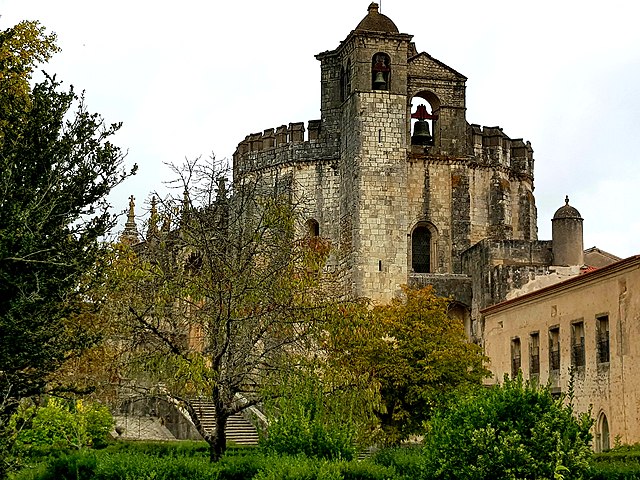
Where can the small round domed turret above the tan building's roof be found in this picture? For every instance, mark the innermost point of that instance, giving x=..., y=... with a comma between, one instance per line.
x=566, y=233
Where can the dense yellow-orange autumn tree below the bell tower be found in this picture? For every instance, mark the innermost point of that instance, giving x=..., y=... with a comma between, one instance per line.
x=411, y=354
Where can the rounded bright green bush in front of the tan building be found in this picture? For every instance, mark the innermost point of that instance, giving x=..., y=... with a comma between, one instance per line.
x=513, y=430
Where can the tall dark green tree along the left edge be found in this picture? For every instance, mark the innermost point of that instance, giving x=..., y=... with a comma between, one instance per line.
x=57, y=166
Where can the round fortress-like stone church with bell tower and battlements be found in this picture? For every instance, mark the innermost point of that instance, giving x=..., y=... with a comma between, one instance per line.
x=407, y=191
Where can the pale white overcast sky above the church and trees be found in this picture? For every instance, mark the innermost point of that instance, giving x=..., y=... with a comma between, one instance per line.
x=192, y=77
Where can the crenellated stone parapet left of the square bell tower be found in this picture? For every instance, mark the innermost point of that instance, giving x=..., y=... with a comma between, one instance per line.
x=283, y=145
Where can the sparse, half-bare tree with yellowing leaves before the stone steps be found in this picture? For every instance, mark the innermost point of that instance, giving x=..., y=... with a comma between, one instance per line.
x=230, y=294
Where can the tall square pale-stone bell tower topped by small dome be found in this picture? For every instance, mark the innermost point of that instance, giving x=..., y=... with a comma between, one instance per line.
x=364, y=108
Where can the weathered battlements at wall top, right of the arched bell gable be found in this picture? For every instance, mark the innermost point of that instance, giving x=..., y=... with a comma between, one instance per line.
x=495, y=148
